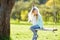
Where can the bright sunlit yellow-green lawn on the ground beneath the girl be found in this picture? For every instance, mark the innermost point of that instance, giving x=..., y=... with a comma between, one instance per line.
x=22, y=32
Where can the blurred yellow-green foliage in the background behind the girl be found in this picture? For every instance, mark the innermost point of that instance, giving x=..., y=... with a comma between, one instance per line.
x=46, y=8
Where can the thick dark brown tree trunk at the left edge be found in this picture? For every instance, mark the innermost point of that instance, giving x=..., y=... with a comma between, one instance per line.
x=5, y=10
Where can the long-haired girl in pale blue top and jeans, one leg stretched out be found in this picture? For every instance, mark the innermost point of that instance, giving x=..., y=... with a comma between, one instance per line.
x=36, y=19
